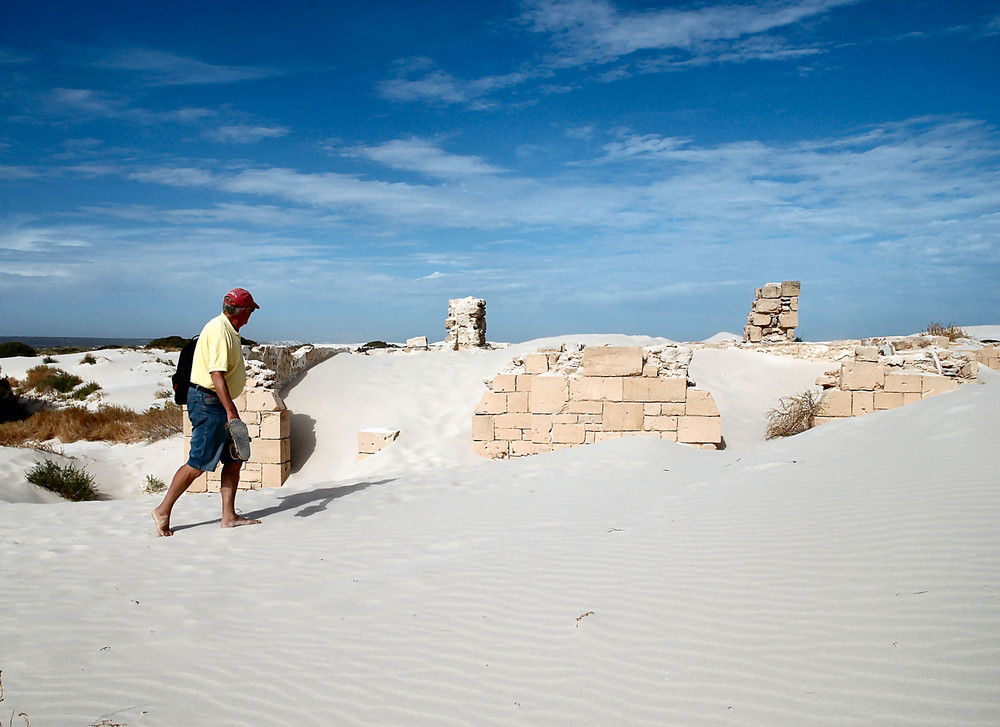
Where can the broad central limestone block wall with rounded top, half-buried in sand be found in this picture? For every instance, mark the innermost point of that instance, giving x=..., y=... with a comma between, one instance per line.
x=559, y=398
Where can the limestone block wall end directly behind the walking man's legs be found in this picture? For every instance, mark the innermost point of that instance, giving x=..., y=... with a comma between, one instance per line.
x=268, y=422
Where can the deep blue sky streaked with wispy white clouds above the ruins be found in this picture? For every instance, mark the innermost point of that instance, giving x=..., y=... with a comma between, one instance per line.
x=585, y=166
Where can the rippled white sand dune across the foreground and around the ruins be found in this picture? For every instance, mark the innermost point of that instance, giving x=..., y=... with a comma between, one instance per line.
x=845, y=576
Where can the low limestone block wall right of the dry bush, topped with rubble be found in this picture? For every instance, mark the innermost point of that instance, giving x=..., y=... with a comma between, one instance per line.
x=871, y=381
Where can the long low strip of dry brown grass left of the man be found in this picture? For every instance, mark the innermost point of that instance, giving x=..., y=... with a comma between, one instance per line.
x=110, y=423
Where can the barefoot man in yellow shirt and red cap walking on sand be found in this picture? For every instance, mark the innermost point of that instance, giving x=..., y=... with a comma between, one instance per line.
x=218, y=375
